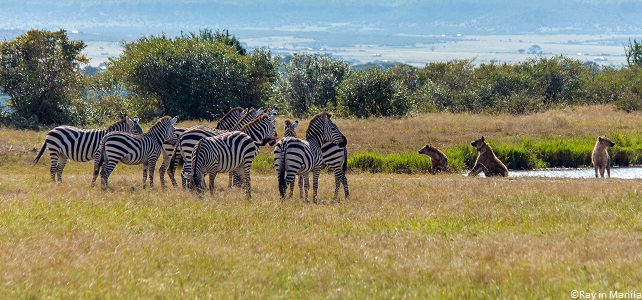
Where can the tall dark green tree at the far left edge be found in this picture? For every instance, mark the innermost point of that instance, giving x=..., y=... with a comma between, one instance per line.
x=41, y=74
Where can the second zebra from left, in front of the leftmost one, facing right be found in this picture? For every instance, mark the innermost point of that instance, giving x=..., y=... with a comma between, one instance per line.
x=133, y=149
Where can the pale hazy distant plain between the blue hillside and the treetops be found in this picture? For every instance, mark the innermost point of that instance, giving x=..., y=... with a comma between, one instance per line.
x=608, y=48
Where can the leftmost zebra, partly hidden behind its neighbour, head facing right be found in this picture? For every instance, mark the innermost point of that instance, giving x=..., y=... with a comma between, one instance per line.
x=68, y=142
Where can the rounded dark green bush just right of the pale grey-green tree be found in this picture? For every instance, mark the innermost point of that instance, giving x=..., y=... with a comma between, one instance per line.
x=374, y=93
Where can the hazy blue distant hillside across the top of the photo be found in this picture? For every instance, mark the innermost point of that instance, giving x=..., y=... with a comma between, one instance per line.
x=376, y=17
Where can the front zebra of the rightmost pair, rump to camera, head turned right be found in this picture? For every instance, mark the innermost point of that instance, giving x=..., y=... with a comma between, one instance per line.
x=300, y=156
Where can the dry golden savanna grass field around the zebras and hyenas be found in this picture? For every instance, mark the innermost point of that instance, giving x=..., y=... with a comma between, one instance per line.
x=404, y=234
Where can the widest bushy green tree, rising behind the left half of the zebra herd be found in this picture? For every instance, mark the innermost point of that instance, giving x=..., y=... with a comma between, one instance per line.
x=196, y=76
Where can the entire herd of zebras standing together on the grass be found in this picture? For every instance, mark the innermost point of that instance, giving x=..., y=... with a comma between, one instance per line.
x=231, y=147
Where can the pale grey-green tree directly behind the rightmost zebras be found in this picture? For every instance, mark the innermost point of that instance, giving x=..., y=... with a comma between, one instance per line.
x=311, y=81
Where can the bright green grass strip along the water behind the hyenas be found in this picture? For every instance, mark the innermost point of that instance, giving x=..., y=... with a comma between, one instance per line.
x=526, y=154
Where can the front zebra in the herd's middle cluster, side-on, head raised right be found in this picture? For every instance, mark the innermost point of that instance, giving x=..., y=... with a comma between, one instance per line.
x=230, y=152
